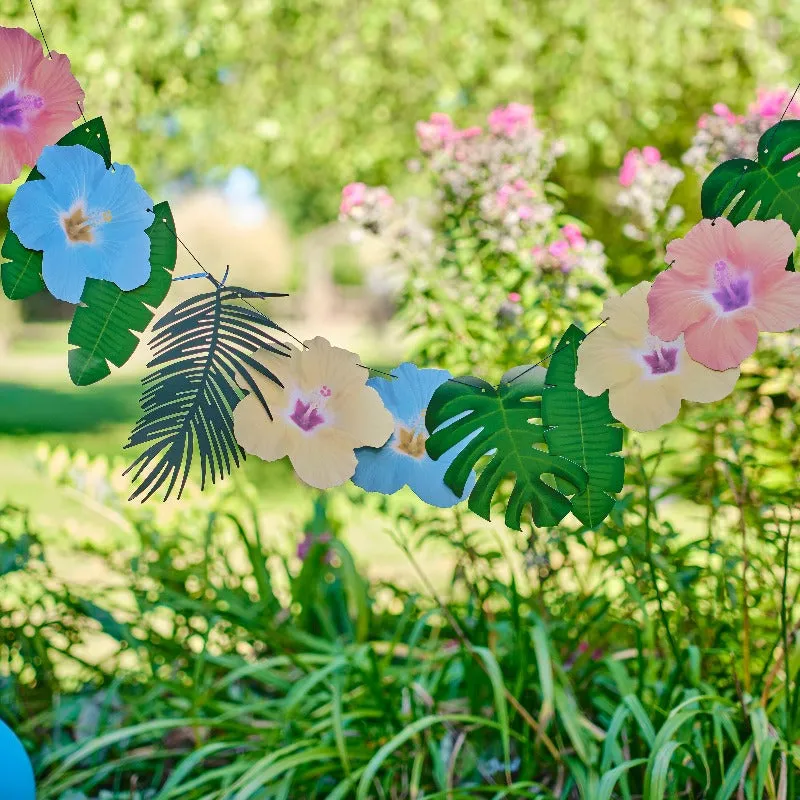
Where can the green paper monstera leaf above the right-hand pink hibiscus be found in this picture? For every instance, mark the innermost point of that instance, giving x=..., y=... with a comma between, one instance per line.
x=765, y=189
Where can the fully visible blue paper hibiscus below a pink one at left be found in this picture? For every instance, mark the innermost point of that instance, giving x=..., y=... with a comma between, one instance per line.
x=88, y=221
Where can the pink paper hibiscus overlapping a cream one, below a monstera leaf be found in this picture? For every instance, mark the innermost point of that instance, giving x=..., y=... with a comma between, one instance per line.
x=726, y=284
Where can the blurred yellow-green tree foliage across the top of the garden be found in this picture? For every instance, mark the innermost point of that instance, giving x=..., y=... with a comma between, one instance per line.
x=312, y=94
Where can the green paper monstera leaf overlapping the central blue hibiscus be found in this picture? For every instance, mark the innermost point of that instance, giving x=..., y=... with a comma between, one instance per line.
x=503, y=420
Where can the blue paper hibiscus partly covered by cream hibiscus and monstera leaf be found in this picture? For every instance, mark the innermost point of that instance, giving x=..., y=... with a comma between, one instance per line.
x=403, y=459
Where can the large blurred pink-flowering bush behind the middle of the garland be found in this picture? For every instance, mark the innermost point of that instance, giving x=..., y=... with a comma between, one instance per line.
x=492, y=262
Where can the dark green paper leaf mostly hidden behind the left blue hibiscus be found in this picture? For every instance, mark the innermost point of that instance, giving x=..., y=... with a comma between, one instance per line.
x=22, y=275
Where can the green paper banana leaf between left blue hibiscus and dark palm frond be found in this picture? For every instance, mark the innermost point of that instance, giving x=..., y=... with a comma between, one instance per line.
x=103, y=325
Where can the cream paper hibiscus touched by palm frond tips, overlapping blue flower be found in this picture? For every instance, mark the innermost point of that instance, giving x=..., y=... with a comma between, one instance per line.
x=324, y=412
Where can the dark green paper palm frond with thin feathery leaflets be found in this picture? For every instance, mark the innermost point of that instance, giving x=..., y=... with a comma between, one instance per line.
x=187, y=402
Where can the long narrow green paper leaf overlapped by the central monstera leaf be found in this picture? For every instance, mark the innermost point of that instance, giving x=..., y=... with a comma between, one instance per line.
x=578, y=427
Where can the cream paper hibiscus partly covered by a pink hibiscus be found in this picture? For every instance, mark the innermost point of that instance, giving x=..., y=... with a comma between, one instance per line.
x=646, y=377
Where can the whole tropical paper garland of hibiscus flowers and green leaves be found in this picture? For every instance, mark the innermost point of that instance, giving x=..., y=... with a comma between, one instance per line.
x=85, y=231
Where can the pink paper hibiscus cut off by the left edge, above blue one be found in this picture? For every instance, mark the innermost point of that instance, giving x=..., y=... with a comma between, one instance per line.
x=38, y=101
